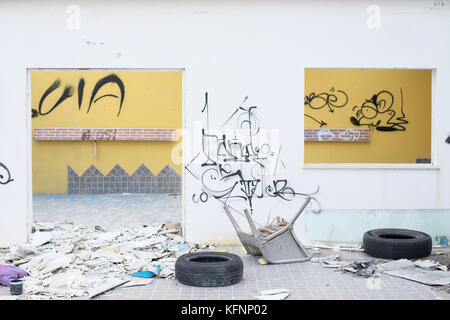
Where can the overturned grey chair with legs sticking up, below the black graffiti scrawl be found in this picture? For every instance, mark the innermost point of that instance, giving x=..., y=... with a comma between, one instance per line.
x=281, y=246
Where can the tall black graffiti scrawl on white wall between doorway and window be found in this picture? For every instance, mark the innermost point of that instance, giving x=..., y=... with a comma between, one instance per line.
x=238, y=163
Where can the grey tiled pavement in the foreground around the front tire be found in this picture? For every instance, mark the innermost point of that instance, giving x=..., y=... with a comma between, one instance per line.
x=306, y=281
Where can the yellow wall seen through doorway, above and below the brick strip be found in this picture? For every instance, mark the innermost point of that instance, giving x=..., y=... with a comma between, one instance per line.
x=152, y=100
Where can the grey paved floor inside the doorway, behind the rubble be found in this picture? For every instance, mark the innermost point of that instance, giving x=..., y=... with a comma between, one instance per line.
x=108, y=210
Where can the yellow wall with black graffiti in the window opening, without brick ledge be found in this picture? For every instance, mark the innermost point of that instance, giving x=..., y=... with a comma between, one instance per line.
x=395, y=104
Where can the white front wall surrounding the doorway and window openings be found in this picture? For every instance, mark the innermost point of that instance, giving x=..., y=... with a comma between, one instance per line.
x=233, y=49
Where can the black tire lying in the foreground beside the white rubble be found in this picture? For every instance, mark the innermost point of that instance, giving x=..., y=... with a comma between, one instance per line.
x=209, y=269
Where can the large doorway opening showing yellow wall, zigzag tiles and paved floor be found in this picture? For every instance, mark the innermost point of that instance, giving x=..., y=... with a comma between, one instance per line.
x=106, y=146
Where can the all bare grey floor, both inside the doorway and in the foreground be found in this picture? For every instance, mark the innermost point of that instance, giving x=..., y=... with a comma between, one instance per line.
x=306, y=281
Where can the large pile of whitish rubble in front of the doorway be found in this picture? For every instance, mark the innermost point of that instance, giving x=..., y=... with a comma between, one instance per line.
x=65, y=261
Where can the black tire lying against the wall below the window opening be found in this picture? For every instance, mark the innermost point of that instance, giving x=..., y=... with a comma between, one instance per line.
x=397, y=244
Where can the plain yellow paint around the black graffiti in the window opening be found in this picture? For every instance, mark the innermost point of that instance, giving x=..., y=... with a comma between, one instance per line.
x=360, y=85
